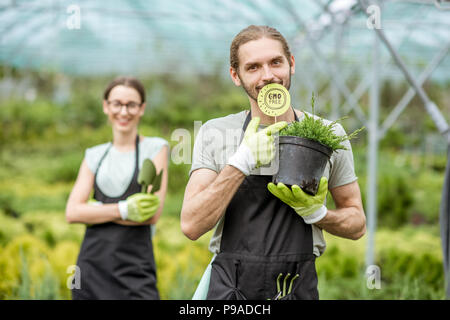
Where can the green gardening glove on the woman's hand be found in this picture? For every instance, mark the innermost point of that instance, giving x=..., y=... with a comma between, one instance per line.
x=139, y=207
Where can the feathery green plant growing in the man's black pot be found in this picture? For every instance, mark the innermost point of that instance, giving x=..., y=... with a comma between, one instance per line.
x=314, y=128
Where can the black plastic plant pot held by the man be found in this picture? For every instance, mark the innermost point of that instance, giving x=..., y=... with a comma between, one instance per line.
x=301, y=162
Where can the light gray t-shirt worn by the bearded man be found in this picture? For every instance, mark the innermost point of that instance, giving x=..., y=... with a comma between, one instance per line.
x=218, y=139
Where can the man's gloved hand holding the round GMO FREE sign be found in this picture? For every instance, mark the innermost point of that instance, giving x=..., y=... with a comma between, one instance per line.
x=257, y=148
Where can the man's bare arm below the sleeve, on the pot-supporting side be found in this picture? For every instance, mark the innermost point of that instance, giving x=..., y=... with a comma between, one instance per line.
x=348, y=220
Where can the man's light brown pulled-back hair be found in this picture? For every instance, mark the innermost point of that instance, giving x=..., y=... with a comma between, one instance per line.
x=255, y=33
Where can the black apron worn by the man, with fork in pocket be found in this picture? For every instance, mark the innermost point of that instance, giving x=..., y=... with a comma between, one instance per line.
x=261, y=238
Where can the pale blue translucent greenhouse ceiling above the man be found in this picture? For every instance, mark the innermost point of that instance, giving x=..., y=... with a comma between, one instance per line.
x=145, y=37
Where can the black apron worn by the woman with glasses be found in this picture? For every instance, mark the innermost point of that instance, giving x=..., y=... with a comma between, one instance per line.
x=116, y=262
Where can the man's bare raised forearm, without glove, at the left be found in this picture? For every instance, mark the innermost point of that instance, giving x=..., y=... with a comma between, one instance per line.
x=206, y=197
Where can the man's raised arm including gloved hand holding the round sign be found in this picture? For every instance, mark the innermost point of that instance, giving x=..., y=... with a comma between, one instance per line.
x=208, y=194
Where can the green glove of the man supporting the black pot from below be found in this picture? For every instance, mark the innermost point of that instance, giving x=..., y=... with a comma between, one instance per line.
x=310, y=208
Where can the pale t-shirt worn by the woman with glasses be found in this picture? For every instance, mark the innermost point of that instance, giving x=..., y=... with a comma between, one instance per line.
x=116, y=171
